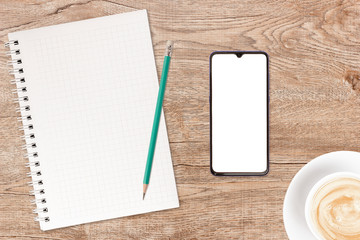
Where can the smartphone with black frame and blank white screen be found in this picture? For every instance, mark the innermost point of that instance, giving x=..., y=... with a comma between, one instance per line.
x=239, y=113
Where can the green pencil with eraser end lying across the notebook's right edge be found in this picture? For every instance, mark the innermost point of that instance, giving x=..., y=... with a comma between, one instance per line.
x=154, y=132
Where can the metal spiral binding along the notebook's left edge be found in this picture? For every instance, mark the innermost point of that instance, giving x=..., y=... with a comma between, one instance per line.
x=28, y=128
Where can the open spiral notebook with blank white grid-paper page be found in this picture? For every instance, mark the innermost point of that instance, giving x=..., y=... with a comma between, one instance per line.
x=87, y=92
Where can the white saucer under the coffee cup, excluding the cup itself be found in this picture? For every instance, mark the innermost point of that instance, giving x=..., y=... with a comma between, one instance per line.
x=295, y=198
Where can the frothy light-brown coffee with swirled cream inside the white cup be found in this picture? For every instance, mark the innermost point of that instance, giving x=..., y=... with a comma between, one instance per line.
x=335, y=209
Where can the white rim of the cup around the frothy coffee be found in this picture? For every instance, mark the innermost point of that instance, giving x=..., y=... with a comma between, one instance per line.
x=314, y=190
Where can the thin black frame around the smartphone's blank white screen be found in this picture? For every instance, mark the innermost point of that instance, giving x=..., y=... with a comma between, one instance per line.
x=267, y=115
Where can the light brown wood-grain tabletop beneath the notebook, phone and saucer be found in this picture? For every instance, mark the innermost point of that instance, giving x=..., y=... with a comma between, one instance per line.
x=314, y=49
